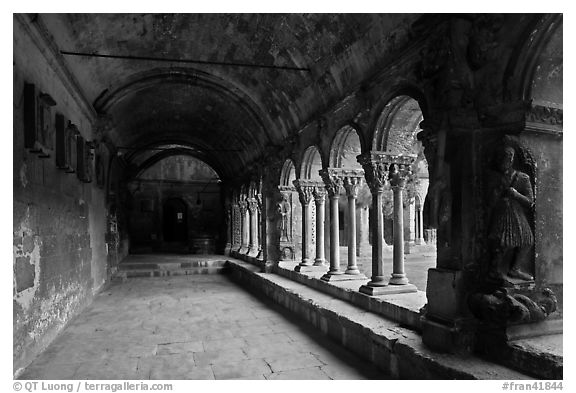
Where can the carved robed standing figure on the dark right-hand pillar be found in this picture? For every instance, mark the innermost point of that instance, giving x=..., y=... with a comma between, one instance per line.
x=510, y=235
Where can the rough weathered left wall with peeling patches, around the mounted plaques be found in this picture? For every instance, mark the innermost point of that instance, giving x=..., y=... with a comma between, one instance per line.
x=59, y=252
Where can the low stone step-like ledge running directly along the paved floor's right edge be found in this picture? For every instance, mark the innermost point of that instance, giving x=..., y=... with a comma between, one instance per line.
x=397, y=350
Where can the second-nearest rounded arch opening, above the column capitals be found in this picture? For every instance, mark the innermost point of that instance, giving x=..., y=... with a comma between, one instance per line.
x=345, y=147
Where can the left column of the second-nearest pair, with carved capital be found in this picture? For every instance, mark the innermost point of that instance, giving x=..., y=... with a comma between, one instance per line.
x=333, y=184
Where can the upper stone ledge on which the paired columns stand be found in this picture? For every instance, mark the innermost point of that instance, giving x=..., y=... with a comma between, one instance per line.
x=400, y=307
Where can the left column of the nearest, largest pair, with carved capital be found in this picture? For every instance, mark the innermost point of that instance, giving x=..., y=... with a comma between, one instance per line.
x=376, y=173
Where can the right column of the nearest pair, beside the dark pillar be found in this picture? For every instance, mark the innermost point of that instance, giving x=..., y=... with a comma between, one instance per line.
x=398, y=178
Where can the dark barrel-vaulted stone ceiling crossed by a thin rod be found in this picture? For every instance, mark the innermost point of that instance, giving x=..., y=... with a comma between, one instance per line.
x=230, y=113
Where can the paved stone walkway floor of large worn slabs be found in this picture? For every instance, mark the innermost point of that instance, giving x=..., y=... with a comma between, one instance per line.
x=191, y=327
